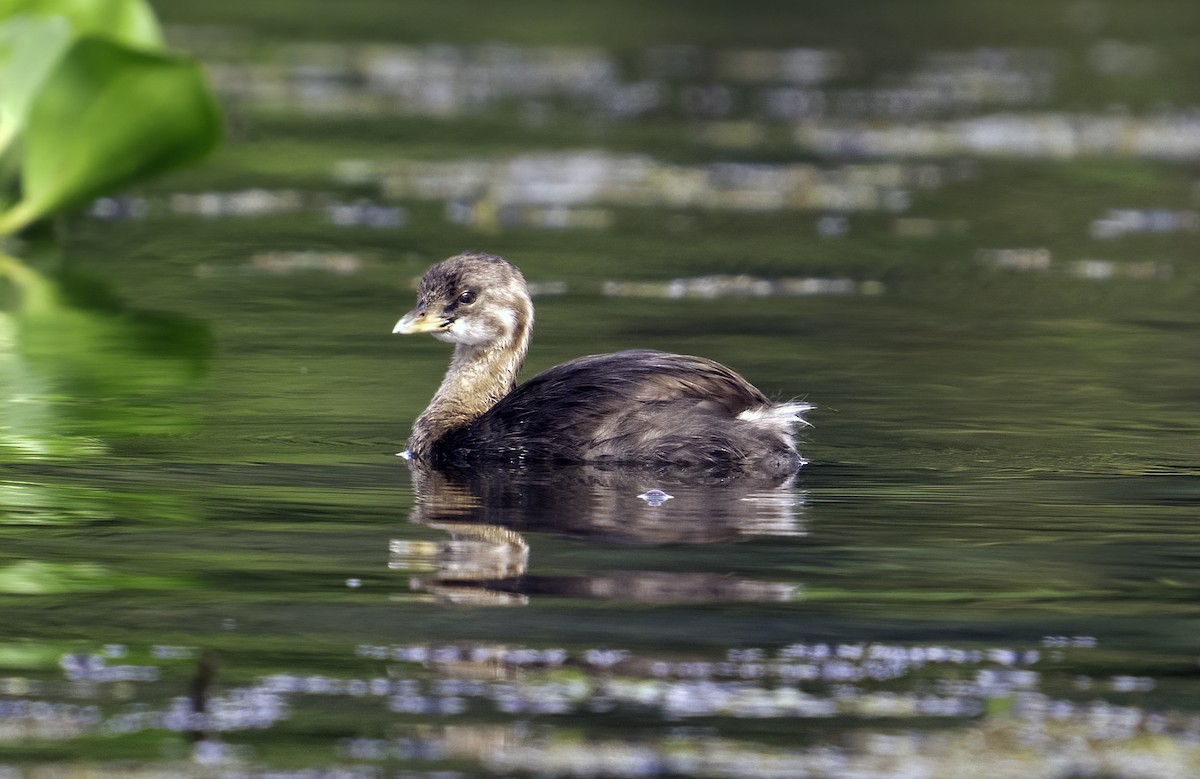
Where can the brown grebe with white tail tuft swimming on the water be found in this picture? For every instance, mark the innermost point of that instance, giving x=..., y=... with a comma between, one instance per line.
x=638, y=408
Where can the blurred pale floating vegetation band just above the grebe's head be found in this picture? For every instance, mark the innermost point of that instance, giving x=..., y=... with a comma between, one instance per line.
x=575, y=190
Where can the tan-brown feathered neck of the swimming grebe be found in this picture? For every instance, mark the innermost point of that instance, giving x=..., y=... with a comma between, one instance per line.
x=478, y=379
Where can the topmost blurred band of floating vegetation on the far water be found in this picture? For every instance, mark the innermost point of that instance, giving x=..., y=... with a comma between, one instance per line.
x=447, y=81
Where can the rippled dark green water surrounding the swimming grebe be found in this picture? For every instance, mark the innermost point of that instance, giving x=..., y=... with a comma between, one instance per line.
x=214, y=561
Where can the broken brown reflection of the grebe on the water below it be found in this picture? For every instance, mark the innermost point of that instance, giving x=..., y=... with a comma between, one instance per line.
x=488, y=511
